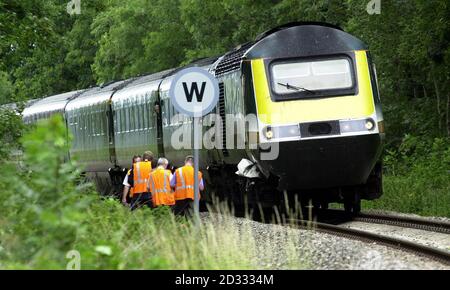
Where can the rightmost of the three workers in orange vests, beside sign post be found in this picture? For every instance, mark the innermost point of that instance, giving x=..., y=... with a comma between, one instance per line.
x=183, y=183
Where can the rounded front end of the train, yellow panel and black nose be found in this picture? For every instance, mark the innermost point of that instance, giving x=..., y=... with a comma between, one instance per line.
x=316, y=98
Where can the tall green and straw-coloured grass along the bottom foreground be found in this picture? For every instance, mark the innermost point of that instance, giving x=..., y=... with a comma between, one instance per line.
x=109, y=236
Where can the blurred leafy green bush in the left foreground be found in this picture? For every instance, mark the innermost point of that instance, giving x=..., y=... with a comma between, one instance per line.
x=41, y=204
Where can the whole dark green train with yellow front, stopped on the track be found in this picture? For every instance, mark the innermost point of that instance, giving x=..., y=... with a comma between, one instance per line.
x=313, y=93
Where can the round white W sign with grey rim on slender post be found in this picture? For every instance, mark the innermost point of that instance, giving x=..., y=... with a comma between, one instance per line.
x=195, y=92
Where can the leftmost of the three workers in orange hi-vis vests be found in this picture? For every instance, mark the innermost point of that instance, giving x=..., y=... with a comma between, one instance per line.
x=138, y=180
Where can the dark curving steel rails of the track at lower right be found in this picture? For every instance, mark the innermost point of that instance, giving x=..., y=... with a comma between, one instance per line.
x=370, y=237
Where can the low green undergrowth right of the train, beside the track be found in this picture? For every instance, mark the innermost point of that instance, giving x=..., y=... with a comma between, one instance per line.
x=417, y=177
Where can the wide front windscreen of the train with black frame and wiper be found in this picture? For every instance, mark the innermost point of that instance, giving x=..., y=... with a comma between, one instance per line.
x=295, y=79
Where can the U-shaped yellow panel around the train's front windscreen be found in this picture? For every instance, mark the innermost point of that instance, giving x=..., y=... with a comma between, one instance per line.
x=330, y=108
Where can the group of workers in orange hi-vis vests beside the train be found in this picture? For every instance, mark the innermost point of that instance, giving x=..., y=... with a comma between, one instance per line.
x=153, y=187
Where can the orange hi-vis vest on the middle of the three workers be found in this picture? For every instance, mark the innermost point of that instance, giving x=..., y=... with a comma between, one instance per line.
x=160, y=187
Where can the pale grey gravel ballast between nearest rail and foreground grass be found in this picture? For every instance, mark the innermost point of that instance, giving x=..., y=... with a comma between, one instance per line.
x=283, y=247
